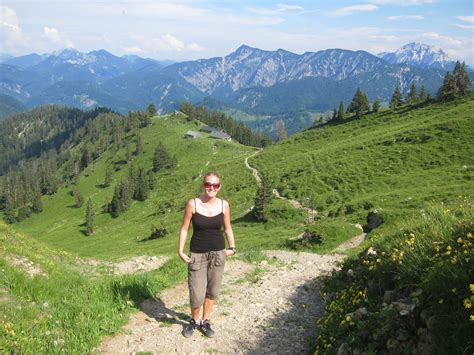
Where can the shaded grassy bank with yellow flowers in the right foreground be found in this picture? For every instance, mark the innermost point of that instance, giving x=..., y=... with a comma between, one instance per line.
x=412, y=291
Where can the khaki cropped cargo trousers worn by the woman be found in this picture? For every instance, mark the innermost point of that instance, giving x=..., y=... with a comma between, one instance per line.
x=205, y=276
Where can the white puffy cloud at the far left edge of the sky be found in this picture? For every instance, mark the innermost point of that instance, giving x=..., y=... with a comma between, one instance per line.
x=10, y=30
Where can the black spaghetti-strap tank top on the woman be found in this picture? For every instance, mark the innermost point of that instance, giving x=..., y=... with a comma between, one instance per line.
x=207, y=232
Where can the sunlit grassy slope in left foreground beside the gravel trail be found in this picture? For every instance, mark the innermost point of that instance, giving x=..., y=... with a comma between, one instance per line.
x=69, y=309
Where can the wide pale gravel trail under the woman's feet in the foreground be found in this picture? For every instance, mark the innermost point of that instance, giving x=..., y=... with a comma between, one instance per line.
x=275, y=313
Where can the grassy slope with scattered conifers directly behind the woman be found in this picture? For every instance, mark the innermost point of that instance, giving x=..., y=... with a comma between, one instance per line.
x=60, y=224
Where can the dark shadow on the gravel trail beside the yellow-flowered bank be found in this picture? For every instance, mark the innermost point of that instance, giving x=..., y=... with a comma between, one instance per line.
x=292, y=331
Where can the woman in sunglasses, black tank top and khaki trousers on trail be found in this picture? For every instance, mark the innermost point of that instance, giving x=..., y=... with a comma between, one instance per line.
x=207, y=257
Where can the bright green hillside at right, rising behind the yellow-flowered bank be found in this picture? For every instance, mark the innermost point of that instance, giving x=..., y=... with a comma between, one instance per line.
x=389, y=160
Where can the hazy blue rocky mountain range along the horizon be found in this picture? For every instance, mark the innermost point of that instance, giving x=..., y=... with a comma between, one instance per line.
x=259, y=83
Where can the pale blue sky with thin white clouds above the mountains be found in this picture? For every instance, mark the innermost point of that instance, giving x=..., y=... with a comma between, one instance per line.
x=192, y=29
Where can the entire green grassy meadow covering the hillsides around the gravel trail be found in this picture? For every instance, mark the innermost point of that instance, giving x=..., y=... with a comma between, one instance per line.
x=413, y=165
